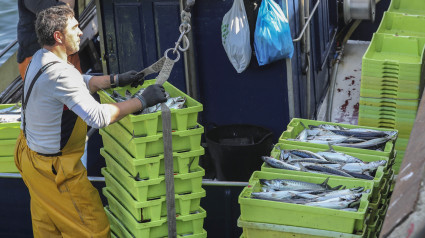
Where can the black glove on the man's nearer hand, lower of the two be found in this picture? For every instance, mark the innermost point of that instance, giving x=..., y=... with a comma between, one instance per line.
x=151, y=96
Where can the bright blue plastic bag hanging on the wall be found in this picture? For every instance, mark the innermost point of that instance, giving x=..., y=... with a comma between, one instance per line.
x=272, y=37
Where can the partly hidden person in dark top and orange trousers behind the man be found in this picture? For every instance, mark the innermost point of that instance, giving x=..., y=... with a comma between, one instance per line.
x=27, y=37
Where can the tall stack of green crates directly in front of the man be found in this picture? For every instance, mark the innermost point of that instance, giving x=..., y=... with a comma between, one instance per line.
x=135, y=173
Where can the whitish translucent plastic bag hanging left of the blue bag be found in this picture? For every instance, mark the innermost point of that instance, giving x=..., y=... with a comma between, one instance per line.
x=235, y=36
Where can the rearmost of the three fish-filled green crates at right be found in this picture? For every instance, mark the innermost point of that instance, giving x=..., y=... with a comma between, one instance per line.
x=294, y=128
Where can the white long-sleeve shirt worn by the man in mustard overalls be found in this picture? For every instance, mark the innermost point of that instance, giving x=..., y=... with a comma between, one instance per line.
x=59, y=88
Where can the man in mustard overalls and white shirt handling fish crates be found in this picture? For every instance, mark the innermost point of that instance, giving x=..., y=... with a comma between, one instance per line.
x=52, y=139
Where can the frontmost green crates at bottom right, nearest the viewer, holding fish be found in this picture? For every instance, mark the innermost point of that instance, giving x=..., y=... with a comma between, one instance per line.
x=265, y=218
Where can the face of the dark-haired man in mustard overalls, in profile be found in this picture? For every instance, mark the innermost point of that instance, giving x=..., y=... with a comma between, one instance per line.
x=72, y=34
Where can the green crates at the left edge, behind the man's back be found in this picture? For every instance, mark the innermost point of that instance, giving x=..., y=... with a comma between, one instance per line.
x=9, y=132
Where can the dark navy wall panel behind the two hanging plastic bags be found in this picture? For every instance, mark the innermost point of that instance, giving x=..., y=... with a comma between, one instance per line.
x=256, y=96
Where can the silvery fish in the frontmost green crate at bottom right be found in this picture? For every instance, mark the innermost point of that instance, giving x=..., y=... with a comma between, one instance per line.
x=310, y=194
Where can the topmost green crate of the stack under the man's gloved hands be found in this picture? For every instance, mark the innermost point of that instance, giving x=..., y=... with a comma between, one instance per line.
x=151, y=124
